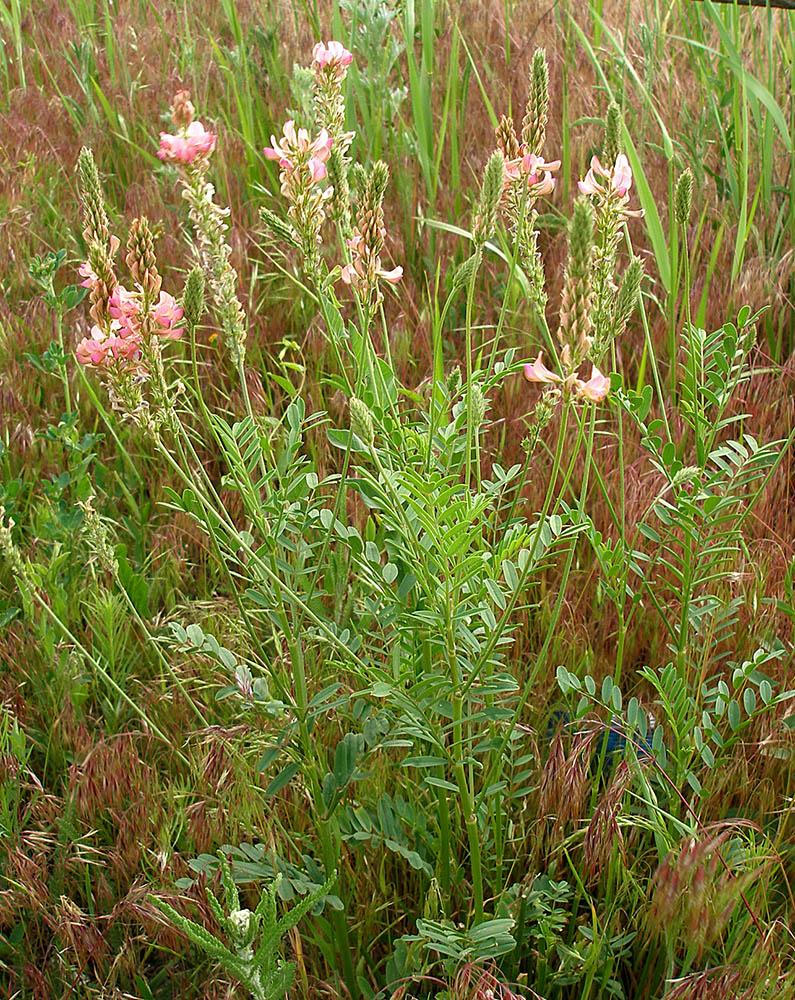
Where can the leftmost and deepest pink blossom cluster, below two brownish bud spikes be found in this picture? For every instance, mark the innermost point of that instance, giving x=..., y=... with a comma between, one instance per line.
x=124, y=338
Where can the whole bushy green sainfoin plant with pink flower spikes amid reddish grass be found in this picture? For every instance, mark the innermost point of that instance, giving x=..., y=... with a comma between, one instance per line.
x=382, y=594
